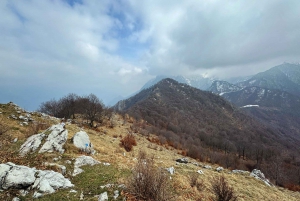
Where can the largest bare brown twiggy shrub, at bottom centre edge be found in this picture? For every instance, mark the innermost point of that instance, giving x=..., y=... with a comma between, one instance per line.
x=148, y=182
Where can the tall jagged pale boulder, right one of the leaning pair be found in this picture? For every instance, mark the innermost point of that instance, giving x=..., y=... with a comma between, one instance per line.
x=56, y=139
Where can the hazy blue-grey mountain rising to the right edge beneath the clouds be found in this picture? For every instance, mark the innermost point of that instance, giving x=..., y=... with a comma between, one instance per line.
x=285, y=77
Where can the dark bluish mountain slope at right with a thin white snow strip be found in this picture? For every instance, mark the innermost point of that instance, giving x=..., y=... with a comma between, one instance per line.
x=275, y=108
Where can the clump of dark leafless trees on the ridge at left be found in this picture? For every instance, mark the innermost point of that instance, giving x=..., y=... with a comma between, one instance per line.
x=89, y=107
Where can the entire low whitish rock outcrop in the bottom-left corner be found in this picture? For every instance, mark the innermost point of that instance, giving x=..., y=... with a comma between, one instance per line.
x=22, y=177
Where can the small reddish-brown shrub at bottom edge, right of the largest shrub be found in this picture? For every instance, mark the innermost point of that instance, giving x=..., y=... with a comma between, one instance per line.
x=221, y=190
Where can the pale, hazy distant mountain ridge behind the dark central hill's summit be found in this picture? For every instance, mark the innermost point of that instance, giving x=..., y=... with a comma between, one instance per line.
x=200, y=82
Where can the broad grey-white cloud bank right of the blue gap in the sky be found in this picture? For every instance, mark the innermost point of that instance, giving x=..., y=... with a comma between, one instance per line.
x=218, y=34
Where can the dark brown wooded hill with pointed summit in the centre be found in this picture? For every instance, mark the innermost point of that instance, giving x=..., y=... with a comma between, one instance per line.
x=206, y=127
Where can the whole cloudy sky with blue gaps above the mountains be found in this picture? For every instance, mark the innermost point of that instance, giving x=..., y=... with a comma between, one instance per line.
x=50, y=48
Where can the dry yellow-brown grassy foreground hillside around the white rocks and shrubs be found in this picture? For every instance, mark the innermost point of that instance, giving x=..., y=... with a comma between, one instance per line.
x=106, y=144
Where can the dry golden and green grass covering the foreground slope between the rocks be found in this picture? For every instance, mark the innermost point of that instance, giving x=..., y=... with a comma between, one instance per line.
x=108, y=150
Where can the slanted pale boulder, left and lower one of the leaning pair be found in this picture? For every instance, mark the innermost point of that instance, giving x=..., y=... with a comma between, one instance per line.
x=31, y=144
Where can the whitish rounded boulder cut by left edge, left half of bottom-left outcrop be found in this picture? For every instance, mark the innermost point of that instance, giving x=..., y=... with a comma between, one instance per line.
x=18, y=177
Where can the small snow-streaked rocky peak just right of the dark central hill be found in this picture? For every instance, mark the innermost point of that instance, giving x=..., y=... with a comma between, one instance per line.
x=221, y=87
